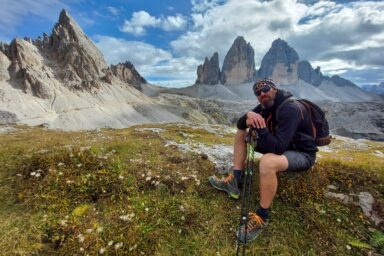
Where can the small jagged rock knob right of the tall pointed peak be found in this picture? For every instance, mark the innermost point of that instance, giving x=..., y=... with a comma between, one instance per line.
x=126, y=72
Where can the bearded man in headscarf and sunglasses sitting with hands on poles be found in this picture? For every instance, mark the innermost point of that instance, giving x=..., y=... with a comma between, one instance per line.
x=284, y=142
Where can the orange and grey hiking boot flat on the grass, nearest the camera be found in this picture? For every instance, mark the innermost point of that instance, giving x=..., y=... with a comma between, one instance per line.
x=255, y=225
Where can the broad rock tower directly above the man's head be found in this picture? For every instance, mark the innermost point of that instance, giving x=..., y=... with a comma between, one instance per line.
x=280, y=63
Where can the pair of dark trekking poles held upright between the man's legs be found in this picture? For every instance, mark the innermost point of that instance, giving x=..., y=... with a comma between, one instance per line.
x=247, y=189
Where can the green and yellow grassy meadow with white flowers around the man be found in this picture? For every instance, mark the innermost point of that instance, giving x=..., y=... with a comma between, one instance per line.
x=135, y=191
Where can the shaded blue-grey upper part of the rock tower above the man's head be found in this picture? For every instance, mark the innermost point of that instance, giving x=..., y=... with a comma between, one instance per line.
x=280, y=52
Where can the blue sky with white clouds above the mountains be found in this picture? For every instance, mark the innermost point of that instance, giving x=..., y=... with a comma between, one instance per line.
x=167, y=39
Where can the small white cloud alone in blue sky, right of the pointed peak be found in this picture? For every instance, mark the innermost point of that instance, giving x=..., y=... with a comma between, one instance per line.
x=140, y=20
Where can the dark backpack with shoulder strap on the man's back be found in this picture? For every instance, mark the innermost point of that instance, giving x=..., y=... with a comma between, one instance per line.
x=320, y=127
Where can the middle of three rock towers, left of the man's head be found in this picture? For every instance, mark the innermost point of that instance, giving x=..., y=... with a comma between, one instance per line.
x=239, y=63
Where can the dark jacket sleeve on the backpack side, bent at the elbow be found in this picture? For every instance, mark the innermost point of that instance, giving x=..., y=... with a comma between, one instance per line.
x=289, y=120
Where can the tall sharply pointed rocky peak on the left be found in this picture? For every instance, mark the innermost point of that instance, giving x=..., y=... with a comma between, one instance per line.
x=81, y=63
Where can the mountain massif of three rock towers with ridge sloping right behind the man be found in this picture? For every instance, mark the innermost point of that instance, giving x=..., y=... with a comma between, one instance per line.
x=282, y=64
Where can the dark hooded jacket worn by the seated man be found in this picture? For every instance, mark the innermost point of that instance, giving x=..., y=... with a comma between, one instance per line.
x=291, y=130
